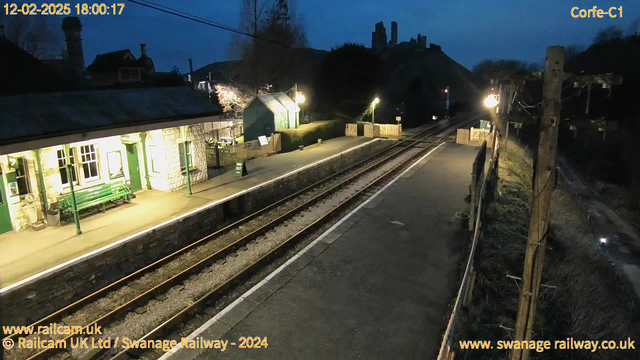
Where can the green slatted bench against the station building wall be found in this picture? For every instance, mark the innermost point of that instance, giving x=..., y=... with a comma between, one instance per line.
x=94, y=196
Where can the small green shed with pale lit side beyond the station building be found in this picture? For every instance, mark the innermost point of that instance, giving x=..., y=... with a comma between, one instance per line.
x=268, y=113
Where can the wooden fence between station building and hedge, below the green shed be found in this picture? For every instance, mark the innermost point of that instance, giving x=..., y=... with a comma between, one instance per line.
x=226, y=156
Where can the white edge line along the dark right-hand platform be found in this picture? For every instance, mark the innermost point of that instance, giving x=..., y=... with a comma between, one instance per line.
x=257, y=286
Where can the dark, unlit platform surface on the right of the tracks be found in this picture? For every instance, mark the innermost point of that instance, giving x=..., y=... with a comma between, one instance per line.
x=377, y=285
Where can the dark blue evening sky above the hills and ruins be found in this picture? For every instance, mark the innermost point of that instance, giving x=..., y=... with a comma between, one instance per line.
x=468, y=31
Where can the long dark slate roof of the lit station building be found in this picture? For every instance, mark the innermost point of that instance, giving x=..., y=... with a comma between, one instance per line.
x=38, y=116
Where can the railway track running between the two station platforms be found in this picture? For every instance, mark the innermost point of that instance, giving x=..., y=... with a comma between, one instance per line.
x=132, y=295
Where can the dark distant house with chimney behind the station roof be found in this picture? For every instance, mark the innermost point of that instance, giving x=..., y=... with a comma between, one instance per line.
x=120, y=68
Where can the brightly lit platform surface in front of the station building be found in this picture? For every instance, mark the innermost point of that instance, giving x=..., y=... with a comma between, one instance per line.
x=27, y=253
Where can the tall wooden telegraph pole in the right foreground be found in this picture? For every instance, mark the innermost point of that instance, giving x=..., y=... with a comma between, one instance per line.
x=543, y=183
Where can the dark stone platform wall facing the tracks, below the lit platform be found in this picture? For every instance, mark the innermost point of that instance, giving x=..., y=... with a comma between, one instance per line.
x=34, y=300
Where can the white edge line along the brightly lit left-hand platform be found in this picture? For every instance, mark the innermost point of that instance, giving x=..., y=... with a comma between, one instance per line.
x=171, y=221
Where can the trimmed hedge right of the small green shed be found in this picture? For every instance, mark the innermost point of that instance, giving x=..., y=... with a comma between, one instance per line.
x=310, y=133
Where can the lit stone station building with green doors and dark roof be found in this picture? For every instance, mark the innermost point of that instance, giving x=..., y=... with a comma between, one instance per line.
x=134, y=137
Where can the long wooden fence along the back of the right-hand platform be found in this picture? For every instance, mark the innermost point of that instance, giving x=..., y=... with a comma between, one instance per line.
x=483, y=182
